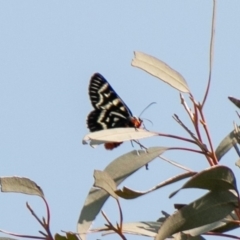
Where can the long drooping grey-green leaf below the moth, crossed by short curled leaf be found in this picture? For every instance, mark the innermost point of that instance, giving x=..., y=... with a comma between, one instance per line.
x=120, y=169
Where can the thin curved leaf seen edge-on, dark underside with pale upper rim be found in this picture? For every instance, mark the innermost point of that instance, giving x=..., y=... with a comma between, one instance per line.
x=128, y=193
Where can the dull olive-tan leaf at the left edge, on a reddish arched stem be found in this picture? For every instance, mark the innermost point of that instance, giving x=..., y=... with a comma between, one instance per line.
x=20, y=185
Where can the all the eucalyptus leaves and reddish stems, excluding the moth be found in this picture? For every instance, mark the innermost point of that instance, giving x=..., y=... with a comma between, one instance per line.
x=214, y=213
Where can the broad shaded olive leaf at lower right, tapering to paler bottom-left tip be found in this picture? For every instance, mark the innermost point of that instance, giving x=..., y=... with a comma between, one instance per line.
x=210, y=208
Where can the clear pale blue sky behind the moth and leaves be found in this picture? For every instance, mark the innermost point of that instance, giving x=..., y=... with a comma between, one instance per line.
x=48, y=52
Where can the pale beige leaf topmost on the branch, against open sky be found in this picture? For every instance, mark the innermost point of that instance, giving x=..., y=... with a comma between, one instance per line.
x=161, y=70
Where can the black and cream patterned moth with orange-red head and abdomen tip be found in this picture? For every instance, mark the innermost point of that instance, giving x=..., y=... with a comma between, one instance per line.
x=109, y=109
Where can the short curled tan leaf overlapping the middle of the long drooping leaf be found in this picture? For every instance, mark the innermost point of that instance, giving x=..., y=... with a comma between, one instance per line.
x=105, y=182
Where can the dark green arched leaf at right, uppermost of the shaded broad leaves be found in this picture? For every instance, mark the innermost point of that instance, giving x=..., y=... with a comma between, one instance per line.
x=217, y=178
